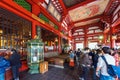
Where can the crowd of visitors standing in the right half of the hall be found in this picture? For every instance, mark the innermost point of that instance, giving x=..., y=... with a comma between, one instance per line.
x=88, y=59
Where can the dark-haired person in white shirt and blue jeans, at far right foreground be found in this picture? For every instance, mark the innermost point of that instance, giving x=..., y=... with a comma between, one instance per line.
x=102, y=67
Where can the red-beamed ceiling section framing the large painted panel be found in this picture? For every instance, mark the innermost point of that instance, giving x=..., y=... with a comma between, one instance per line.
x=84, y=12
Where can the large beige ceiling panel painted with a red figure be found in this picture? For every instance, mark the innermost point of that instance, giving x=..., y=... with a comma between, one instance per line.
x=87, y=11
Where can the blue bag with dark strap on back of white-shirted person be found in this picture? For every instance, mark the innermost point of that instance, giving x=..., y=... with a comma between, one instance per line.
x=111, y=69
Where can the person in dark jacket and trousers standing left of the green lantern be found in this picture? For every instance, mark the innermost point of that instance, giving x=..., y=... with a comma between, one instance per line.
x=15, y=63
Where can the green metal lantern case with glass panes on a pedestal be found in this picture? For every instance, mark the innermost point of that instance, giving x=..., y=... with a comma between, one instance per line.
x=35, y=55
